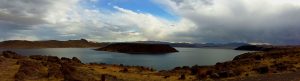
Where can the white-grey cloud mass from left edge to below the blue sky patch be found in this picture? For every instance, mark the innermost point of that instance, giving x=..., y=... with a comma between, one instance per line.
x=61, y=19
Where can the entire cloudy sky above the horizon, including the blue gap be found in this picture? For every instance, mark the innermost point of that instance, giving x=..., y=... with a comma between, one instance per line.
x=199, y=21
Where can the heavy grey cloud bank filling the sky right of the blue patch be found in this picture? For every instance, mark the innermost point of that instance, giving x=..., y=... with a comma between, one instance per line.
x=274, y=21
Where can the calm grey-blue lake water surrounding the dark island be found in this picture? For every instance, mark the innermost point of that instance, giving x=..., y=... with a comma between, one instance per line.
x=186, y=56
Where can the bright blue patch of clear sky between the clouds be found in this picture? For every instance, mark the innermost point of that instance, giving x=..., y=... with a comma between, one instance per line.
x=141, y=6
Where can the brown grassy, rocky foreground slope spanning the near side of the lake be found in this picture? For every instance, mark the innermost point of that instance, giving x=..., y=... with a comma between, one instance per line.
x=271, y=65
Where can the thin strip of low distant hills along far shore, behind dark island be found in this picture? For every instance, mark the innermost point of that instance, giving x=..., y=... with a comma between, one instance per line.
x=83, y=43
